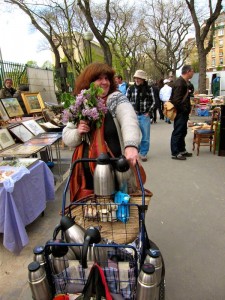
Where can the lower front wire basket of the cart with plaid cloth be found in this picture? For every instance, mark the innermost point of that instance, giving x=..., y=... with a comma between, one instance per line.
x=119, y=264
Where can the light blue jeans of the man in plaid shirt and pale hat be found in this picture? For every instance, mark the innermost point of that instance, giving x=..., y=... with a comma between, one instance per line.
x=144, y=123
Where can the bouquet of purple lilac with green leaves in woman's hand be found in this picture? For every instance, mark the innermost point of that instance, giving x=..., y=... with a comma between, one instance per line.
x=86, y=106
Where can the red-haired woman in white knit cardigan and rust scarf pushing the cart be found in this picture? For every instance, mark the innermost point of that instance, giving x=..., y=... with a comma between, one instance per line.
x=119, y=134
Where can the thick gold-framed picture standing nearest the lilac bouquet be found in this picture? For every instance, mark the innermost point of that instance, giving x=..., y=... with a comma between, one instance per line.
x=33, y=102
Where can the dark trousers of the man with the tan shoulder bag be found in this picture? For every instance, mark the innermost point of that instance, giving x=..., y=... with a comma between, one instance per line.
x=179, y=133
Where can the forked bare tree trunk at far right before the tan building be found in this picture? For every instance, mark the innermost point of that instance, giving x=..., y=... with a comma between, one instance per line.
x=204, y=35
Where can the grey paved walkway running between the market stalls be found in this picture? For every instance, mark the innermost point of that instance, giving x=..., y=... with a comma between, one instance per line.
x=185, y=219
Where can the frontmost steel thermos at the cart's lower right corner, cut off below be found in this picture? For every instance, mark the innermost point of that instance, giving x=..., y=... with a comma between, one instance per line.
x=146, y=285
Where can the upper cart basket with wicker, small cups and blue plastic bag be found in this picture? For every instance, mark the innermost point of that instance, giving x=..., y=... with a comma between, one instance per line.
x=89, y=211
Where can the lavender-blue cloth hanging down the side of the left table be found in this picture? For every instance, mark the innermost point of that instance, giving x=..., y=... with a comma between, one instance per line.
x=24, y=205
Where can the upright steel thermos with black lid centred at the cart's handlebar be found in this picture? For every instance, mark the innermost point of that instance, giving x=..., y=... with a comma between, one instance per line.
x=104, y=178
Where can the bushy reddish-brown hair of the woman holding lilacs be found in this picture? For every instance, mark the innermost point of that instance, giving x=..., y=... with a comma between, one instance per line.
x=92, y=73
